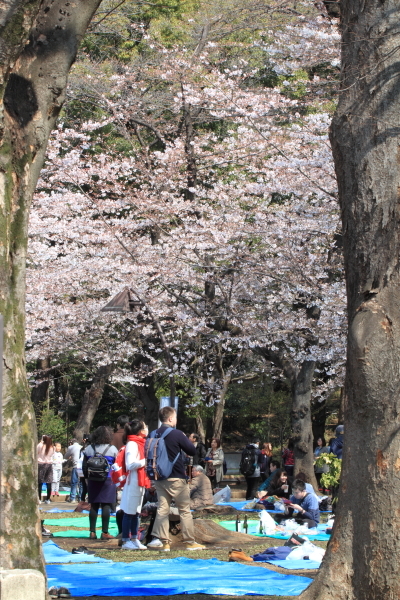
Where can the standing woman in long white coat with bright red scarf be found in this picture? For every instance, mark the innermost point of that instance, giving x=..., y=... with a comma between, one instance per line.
x=137, y=481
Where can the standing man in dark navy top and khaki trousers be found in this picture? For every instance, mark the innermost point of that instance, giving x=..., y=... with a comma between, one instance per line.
x=175, y=488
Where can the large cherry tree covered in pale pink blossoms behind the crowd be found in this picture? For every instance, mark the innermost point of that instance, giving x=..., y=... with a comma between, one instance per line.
x=228, y=238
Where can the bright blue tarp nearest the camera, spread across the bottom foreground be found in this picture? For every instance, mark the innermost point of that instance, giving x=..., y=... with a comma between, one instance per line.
x=167, y=577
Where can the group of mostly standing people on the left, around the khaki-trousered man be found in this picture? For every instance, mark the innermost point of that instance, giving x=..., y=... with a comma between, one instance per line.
x=196, y=471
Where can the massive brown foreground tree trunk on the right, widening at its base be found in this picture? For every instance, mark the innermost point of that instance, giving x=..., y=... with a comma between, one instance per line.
x=363, y=555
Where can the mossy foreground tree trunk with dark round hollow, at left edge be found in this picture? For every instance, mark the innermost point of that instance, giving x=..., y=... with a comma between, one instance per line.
x=34, y=77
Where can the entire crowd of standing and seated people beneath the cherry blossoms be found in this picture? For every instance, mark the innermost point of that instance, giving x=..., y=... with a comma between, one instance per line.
x=195, y=474
